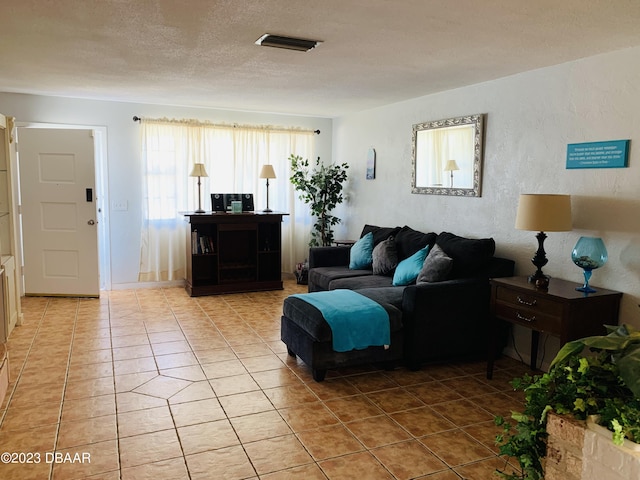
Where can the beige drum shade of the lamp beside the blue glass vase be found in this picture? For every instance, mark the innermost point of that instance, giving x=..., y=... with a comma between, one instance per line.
x=544, y=213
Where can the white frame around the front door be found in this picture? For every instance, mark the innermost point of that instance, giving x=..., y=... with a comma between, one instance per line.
x=102, y=200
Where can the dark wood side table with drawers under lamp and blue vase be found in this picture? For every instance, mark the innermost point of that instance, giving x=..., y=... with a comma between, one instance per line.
x=560, y=311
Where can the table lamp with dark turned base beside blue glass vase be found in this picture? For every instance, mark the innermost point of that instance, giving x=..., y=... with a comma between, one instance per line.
x=543, y=213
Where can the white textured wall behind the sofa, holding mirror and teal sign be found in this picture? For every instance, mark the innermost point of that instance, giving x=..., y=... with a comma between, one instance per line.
x=531, y=118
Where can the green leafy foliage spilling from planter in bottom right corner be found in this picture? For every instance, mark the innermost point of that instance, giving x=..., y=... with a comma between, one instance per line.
x=597, y=377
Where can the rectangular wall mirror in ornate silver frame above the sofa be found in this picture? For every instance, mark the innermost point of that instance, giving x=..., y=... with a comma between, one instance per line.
x=447, y=156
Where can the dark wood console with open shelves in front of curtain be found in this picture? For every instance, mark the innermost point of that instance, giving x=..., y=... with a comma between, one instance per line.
x=233, y=252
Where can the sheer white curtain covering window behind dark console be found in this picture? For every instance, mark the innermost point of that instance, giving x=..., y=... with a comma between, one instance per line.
x=233, y=156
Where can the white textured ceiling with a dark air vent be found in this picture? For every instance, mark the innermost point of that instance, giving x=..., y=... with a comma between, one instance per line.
x=374, y=52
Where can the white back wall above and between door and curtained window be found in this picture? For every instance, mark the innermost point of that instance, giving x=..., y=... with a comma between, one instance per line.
x=123, y=156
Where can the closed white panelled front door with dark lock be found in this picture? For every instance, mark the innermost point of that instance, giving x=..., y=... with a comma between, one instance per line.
x=58, y=207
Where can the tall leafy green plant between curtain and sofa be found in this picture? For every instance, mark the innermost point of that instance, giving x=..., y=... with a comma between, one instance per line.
x=320, y=187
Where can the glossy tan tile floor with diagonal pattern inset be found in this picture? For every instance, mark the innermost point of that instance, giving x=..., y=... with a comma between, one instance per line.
x=154, y=384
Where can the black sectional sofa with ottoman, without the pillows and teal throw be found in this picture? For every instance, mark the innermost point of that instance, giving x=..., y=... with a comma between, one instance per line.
x=436, y=320
